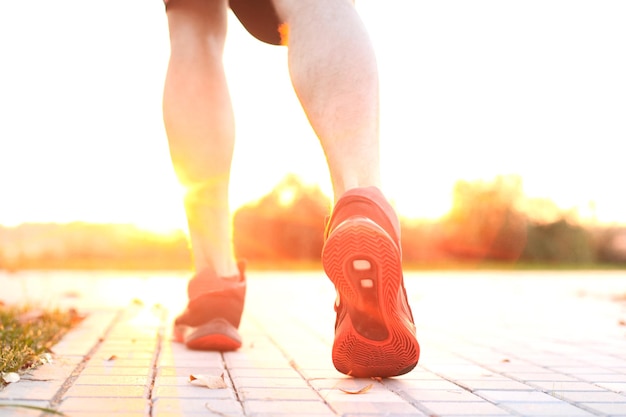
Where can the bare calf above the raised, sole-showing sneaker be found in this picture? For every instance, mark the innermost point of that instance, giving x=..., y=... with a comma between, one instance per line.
x=334, y=73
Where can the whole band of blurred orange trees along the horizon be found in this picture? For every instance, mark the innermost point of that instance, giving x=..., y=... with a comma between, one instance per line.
x=489, y=221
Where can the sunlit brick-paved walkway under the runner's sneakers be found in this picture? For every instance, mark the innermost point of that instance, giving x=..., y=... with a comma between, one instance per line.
x=493, y=344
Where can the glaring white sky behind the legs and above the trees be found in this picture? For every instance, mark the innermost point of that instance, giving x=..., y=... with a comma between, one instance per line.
x=469, y=90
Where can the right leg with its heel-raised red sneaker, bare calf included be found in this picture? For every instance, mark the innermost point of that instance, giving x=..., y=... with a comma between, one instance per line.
x=334, y=73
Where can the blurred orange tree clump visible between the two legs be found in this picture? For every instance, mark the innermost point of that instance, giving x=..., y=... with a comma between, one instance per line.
x=286, y=224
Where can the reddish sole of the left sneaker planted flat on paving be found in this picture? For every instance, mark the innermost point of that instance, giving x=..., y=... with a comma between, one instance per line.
x=216, y=335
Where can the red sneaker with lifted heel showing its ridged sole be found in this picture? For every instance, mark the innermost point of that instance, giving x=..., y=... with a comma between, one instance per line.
x=374, y=331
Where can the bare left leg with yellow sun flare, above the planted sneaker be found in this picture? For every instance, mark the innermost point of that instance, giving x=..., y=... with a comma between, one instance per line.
x=200, y=127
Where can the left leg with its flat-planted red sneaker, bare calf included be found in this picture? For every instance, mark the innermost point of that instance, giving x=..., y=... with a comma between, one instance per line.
x=199, y=121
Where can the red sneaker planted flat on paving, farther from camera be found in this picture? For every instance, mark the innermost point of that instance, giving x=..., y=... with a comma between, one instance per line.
x=213, y=313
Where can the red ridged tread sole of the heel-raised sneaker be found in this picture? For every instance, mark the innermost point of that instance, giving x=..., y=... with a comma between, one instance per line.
x=354, y=353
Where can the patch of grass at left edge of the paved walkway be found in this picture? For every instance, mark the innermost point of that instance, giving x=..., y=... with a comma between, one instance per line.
x=27, y=334
